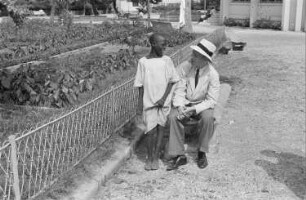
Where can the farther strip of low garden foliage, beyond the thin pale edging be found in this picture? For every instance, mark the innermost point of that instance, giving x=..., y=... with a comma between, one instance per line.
x=37, y=39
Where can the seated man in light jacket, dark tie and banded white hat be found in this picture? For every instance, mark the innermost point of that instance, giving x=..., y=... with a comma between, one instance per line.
x=194, y=97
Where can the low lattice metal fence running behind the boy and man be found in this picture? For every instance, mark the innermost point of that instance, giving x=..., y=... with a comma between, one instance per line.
x=33, y=161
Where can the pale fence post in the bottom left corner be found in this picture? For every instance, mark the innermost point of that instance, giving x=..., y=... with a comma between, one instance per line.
x=14, y=167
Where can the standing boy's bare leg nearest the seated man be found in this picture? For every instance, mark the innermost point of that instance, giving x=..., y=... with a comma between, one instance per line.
x=156, y=153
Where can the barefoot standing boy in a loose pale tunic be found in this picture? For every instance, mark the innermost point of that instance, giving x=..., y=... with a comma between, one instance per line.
x=155, y=78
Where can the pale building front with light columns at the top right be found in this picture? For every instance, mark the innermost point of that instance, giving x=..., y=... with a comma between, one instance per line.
x=290, y=12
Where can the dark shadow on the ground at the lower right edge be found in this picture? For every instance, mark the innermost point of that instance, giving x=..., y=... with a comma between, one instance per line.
x=290, y=170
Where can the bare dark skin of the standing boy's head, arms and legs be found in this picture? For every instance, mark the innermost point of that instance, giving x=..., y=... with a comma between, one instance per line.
x=155, y=136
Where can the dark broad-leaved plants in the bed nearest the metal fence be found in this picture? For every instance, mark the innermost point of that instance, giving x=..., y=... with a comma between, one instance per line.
x=59, y=84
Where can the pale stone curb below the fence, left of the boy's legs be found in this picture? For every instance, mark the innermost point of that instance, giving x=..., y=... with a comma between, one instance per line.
x=88, y=188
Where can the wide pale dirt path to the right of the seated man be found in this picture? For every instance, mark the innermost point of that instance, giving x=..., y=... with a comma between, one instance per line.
x=262, y=152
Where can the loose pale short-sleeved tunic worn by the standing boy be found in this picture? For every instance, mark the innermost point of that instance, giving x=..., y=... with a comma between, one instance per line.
x=154, y=75
